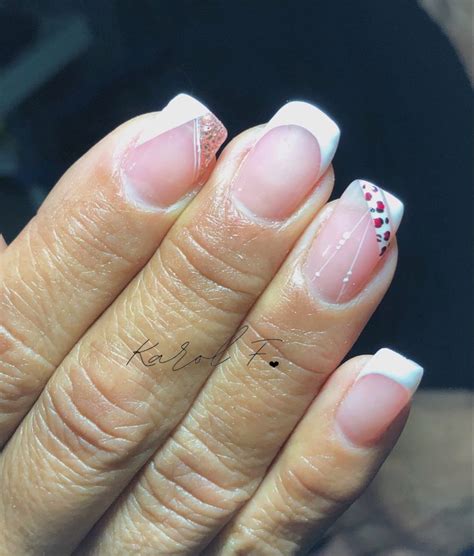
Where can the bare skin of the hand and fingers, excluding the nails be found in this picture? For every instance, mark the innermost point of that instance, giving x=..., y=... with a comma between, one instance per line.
x=123, y=458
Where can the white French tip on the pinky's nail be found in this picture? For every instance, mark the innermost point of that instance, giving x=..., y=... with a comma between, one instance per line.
x=395, y=366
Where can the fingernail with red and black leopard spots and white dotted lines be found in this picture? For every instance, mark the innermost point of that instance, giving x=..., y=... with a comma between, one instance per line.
x=350, y=244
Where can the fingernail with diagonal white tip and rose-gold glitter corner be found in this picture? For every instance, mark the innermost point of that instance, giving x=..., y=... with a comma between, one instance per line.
x=173, y=153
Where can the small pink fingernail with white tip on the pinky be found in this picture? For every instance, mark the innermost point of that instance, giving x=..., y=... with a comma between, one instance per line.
x=382, y=389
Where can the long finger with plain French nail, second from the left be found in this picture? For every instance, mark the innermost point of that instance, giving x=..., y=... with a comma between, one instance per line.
x=111, y=404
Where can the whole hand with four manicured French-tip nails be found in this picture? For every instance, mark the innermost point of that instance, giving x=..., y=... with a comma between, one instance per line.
x=168, y=360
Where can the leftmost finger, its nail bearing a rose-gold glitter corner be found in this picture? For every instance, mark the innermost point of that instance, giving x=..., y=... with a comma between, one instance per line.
x=96, y=230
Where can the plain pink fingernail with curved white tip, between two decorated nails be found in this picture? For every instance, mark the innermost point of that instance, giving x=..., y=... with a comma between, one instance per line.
x=282, y=168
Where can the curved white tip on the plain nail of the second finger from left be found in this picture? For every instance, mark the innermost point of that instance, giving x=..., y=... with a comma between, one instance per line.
x=313, y=119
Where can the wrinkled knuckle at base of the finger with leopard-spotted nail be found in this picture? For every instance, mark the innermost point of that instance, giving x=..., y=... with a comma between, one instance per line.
x=183, y=496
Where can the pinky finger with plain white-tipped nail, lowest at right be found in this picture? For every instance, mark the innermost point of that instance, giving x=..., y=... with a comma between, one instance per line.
x=329, y=459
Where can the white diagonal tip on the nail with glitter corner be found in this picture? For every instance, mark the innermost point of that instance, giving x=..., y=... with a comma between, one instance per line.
x=180, y=110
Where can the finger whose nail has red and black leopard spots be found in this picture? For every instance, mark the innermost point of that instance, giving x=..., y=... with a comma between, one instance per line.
x=219, y=453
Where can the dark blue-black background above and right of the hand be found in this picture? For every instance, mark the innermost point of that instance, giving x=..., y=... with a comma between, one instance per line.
x=71, y=71
